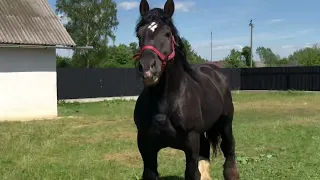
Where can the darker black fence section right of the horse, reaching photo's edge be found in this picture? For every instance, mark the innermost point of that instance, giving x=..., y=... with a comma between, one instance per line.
x=281, y=78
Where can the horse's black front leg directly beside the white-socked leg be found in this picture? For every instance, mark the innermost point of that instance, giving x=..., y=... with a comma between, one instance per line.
x=192, y=156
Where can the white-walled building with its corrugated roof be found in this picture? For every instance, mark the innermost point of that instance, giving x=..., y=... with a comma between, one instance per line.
x=29, y=34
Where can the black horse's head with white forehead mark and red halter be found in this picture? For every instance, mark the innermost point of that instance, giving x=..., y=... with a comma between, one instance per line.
x=156, y=41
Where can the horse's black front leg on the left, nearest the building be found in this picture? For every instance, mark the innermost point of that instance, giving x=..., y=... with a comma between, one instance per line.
x=149, y=154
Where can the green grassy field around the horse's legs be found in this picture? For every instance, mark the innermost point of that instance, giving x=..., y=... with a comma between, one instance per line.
x=277, y=137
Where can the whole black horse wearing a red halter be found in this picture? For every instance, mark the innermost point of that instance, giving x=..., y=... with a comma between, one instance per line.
x=181, y=107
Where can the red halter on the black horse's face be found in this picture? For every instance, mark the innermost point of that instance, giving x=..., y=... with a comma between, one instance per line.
x=162, y=57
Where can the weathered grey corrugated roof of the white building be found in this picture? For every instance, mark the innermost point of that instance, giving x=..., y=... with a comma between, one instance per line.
x=31, y=22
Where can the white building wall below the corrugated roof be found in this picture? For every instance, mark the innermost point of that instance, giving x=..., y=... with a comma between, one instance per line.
x=27, y=84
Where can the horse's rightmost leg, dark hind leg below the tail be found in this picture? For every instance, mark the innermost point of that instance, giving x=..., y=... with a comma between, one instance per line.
x=230, y=170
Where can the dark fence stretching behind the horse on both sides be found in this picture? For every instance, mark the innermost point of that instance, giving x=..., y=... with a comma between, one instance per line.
x=74, y=83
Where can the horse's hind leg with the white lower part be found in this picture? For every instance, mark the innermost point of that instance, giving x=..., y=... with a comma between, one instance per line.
x=204, y=161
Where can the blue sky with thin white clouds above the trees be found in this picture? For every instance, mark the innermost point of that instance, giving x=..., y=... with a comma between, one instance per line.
x=284, y=26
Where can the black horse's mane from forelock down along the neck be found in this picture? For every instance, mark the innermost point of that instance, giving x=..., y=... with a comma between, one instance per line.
x=158, y=15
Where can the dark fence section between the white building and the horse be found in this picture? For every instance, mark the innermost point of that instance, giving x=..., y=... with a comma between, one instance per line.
x=75, y=83
